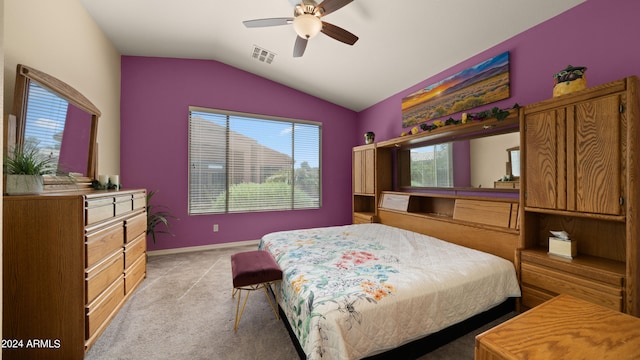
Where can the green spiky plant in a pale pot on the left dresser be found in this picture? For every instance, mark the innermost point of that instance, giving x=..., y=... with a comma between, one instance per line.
x=24, y=167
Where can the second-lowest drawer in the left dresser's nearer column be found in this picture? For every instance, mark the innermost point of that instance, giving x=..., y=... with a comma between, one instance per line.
x=99, y=277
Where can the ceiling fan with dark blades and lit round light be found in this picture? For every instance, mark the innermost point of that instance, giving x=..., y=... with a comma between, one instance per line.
x=307, y=23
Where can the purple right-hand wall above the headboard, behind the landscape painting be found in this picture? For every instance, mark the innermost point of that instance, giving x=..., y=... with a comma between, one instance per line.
x=599, y=34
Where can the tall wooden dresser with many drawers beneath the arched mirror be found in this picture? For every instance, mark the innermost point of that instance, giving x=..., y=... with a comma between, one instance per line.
x=70, y=261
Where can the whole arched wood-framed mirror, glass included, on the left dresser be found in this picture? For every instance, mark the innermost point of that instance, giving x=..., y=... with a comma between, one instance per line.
x=60, y=121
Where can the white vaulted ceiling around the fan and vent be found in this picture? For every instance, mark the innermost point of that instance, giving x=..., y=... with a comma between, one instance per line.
x=401, y=42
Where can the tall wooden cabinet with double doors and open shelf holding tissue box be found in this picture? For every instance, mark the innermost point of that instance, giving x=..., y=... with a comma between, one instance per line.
x=580, y=171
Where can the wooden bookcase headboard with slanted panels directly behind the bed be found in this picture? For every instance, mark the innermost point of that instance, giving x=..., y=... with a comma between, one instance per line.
x=486, y=224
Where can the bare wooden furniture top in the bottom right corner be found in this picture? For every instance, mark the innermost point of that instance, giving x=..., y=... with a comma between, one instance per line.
x=563, y=328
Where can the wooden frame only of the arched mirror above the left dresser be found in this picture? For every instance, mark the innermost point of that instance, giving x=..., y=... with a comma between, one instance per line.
x=24, y=76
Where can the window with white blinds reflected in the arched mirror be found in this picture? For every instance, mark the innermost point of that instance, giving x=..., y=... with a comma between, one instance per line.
x=45, y=119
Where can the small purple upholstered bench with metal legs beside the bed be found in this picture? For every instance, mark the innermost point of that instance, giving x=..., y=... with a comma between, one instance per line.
x=254, y=270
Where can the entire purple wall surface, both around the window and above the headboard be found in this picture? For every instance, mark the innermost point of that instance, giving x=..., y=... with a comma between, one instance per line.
x=156, y=93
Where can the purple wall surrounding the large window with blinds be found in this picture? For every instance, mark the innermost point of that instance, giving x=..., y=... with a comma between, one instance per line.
x=156, y=94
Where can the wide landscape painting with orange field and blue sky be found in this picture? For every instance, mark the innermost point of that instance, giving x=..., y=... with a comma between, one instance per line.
x=482, y=84
